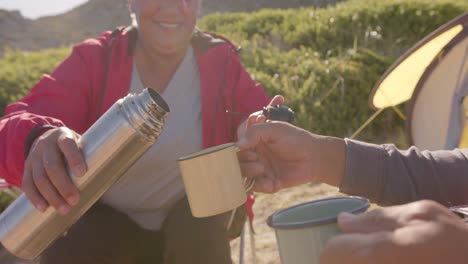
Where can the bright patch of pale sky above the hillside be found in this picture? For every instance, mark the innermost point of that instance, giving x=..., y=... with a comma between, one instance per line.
x=38, y=8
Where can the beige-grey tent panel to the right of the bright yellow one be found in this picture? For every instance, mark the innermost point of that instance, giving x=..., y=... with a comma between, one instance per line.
x=433, y=115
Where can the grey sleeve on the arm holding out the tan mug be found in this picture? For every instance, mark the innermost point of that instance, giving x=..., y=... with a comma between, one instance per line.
x=390, y=176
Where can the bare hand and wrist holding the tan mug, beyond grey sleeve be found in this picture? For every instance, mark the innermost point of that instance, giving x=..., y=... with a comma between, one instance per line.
x=279, y=155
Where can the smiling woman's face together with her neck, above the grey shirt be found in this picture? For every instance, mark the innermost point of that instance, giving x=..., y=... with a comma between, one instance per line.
x=176, y=22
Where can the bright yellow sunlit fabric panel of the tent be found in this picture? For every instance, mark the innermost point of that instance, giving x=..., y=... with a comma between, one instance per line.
x=398, y=86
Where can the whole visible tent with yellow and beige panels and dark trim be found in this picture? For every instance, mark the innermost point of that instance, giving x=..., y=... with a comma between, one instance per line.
x=435, y=118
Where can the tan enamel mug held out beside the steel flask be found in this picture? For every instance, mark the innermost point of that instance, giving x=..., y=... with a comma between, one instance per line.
x=213, y=180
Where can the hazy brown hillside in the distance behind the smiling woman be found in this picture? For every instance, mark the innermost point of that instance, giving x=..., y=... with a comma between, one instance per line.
x=95, y=16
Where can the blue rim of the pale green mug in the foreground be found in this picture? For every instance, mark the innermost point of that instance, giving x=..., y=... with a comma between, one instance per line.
x=320, y=221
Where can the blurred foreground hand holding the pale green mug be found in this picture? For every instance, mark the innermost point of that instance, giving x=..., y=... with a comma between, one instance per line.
x=421, y=232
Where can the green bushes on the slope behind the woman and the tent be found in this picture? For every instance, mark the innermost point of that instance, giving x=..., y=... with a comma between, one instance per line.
x=324, y=60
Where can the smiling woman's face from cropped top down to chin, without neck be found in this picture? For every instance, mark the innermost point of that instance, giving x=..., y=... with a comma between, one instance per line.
x=165, y=25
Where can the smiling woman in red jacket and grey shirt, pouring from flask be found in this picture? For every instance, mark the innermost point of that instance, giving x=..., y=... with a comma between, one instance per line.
x=145, y=215
